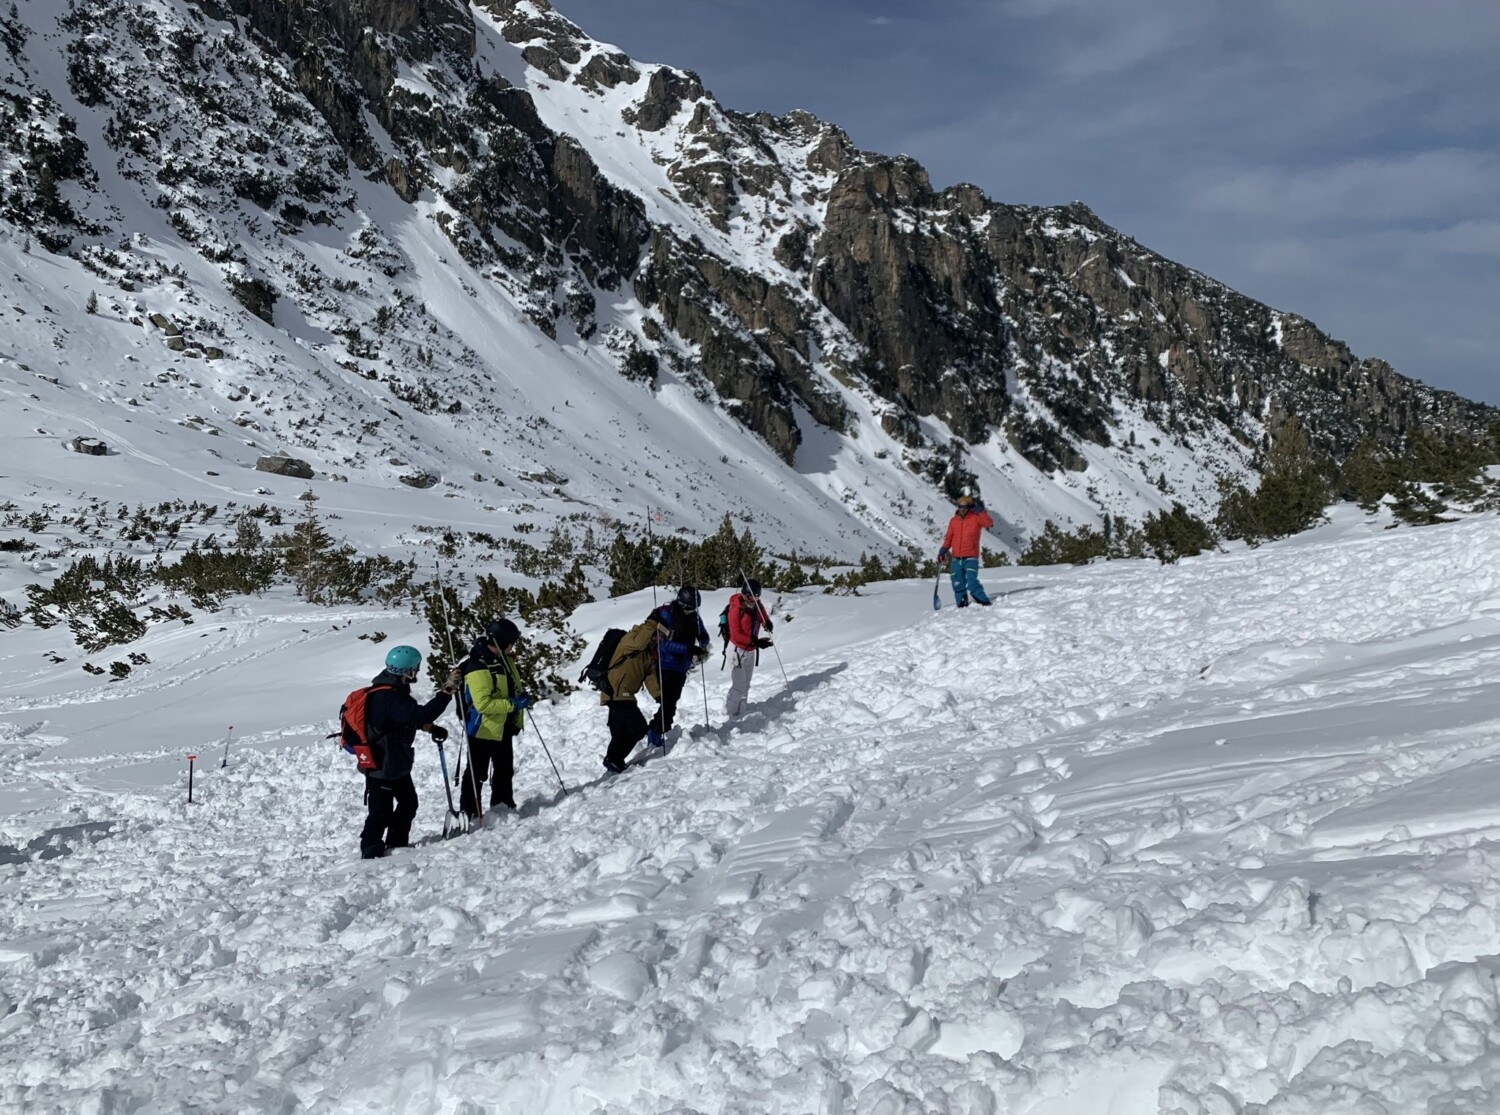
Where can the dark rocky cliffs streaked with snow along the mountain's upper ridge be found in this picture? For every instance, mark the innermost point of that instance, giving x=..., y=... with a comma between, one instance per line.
x=800, y=284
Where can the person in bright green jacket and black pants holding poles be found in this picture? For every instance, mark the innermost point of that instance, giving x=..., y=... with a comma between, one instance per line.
x=496, y=709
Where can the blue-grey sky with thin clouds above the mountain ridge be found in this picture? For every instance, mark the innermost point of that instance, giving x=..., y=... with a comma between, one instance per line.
x=1334, y=158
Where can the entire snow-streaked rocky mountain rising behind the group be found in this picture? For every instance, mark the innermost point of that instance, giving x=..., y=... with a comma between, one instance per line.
x=467, y=244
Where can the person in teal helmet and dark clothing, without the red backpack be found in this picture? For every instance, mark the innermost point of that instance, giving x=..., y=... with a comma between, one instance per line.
x=392, y=718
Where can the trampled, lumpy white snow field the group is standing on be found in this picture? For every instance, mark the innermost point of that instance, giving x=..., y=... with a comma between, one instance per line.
x=1207, y=840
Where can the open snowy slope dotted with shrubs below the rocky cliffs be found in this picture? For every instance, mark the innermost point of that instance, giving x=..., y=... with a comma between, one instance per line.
x=530, y=409
